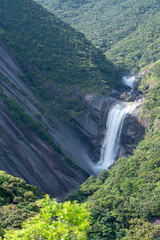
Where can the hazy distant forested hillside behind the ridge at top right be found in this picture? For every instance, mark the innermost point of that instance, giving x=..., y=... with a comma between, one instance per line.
x=128, y=31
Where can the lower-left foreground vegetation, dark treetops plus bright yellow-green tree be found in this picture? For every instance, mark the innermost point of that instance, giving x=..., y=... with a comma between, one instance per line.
x=20, y=201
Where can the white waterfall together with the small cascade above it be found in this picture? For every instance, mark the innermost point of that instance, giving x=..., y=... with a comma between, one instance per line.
x=114, y=124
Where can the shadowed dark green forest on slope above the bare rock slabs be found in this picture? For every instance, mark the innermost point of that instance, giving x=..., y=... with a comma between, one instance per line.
x=57, y=61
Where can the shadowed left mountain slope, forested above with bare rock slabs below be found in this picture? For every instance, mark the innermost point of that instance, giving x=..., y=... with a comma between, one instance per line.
x=45, y=69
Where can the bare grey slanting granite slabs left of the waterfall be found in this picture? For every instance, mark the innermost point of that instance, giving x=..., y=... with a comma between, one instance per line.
x=22, y=152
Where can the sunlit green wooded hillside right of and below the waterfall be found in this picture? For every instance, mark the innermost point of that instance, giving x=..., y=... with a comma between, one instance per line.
x=125, y=200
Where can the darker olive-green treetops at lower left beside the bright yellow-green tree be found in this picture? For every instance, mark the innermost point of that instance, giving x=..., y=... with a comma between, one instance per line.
x=17, y=201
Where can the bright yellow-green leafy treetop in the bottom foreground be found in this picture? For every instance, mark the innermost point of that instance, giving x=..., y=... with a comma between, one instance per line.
x=55, y=221
